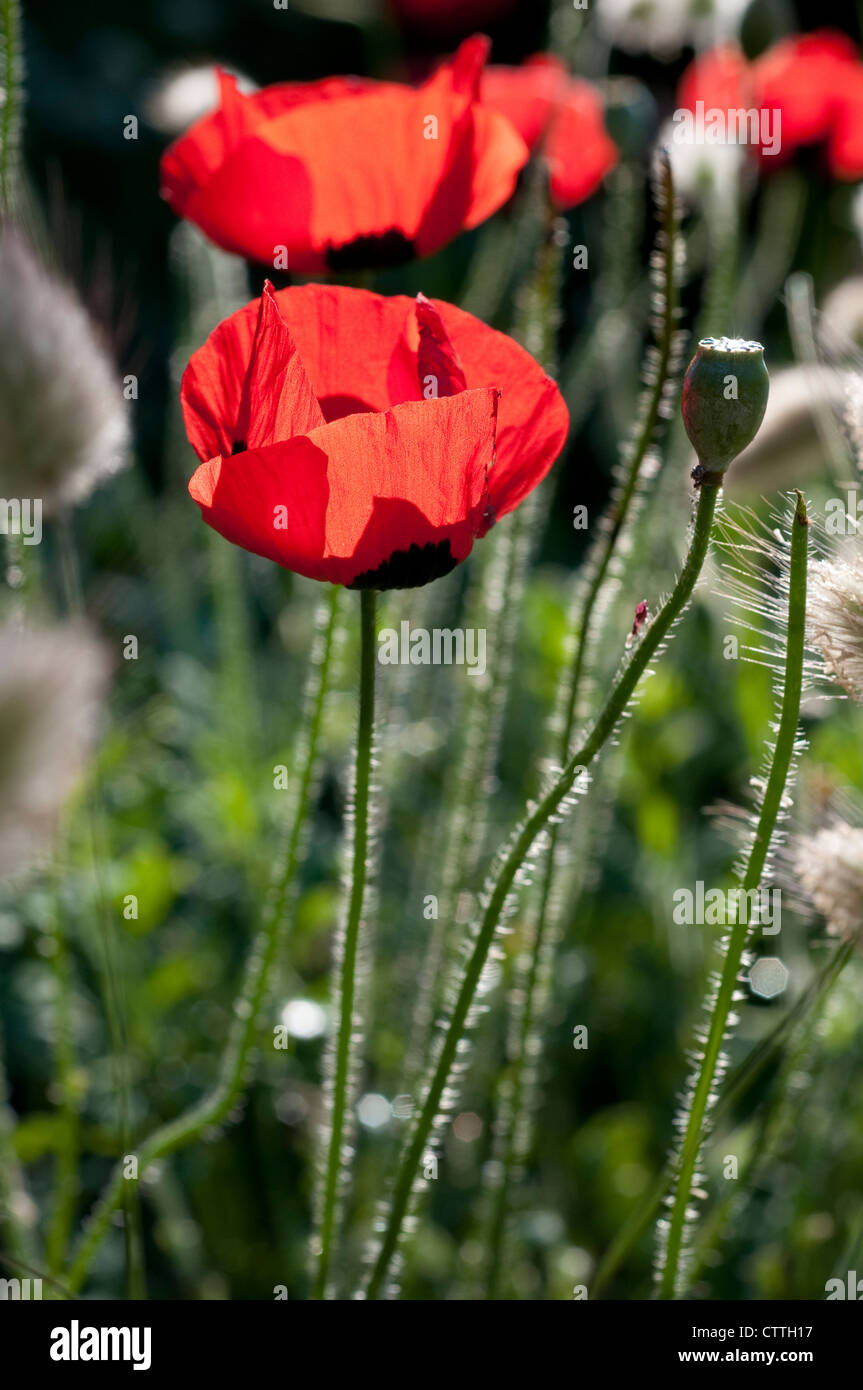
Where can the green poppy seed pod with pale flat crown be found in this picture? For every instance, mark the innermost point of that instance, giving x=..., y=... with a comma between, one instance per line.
x=725, y=400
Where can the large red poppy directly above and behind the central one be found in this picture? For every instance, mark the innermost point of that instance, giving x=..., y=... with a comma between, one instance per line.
x=347, y=172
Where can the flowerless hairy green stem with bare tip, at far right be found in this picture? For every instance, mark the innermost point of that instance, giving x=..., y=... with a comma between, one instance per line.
x=783, y=755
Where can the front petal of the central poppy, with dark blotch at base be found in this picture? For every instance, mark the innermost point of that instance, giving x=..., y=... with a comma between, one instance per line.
x=380, y=500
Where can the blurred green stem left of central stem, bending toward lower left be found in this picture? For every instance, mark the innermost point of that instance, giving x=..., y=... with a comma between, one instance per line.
x=215, y=1107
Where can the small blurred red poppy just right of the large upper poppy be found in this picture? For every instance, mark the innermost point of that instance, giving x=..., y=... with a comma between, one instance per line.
x=559, y=113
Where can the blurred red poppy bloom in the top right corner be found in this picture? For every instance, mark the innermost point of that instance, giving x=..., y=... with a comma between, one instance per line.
x=812, y=83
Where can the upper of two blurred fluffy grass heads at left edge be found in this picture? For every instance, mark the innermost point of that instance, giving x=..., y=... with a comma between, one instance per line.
x=63, y=418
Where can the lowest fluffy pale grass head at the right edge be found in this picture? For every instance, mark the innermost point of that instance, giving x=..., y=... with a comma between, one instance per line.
x=830, y=869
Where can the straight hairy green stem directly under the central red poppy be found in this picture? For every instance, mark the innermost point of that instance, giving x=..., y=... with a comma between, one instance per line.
x=350, y=946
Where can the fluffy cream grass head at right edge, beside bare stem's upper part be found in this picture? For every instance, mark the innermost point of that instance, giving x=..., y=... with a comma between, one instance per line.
x=835, y=611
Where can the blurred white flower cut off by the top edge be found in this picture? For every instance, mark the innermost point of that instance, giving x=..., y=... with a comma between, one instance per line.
x=665, y=27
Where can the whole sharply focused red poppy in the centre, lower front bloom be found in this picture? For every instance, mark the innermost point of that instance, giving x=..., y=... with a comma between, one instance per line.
x=362, y=440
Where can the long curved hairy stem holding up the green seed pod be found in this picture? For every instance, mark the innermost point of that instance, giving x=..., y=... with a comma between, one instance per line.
x=511, y=864
